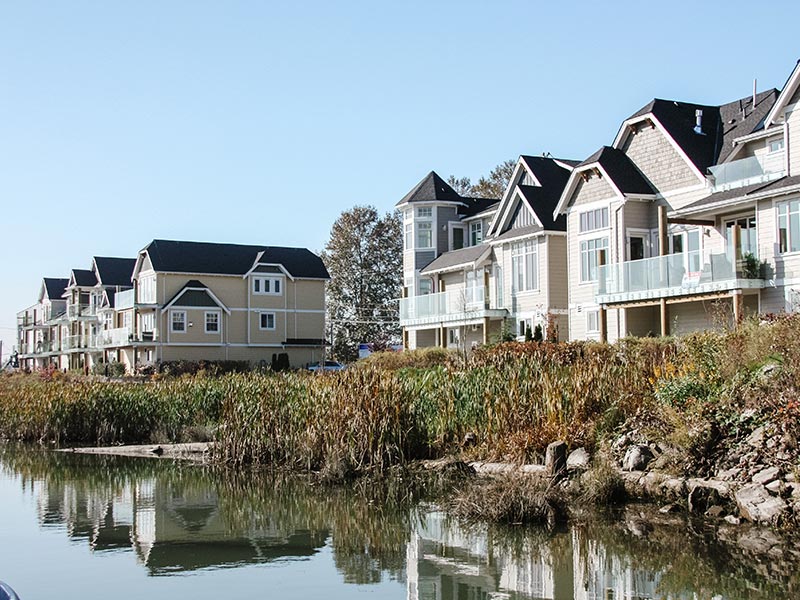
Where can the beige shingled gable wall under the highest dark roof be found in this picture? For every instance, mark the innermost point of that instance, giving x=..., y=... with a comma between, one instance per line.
x=657, y=159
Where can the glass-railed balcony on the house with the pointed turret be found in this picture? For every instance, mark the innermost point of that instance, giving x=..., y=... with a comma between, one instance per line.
x=454, y=306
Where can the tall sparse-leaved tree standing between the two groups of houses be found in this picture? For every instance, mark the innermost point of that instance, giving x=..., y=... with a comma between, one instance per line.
x=364, y=257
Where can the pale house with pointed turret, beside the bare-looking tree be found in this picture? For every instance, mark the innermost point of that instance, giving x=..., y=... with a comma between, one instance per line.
x=477, y=269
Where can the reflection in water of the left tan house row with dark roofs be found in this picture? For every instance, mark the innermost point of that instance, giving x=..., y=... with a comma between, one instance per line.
x=171, y=527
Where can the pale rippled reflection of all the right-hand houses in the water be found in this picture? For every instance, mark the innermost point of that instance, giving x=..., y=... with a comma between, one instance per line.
x=448, y=562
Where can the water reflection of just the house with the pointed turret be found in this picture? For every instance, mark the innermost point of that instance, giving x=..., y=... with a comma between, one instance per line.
x=446, y=562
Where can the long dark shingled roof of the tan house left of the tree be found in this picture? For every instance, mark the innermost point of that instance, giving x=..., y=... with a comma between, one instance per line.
x=231, y=259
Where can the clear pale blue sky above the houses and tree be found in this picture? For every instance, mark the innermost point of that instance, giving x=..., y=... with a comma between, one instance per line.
x=259, y=122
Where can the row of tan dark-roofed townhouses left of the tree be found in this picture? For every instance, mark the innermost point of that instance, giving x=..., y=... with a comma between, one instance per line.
x=181, y=300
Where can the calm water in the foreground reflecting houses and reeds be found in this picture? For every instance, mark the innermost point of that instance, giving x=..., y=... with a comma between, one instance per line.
x=105, y=527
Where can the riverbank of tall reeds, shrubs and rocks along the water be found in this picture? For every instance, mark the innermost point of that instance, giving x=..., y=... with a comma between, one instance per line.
x=690, y=407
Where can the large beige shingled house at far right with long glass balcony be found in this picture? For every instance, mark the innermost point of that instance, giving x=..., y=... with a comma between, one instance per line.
x=668, y=226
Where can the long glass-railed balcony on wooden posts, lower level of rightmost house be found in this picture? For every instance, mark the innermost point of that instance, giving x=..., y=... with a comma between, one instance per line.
x=670, y=276
